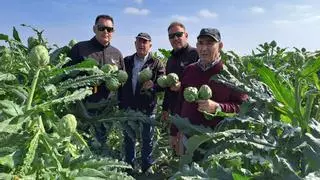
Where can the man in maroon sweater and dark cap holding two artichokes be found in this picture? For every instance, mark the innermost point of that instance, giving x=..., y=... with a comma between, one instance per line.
x=224, y=98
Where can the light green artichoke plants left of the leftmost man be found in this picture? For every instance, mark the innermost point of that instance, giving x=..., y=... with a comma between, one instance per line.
x=30, y=124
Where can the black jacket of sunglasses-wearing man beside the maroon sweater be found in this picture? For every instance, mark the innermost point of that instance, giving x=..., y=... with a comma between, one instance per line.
x=176, y=64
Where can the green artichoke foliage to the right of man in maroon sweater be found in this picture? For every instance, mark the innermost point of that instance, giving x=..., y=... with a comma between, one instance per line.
x=275, y=135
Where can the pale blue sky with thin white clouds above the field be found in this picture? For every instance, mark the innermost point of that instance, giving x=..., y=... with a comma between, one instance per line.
x=244, y=24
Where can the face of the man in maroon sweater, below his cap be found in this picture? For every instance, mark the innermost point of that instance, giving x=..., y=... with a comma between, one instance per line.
x=208, y=49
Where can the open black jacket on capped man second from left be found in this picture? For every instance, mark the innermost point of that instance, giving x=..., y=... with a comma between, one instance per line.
x=144, y=102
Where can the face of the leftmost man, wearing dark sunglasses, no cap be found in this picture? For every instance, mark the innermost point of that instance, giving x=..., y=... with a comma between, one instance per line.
x=104, y=31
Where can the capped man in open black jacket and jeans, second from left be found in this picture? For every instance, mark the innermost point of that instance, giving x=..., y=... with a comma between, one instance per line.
x=133, y=96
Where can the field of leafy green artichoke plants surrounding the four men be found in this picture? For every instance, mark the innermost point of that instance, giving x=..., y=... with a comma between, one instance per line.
x=45, y=134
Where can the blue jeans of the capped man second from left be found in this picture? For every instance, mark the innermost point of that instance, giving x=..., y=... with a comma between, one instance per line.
x=147, y=145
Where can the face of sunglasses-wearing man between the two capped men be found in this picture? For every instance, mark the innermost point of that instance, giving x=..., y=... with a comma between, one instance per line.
x=178, y=42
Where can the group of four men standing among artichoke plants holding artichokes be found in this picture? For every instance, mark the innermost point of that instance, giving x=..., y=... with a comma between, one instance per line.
x=194, y=66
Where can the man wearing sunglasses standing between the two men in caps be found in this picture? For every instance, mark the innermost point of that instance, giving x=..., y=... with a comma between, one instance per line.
x=181, y=56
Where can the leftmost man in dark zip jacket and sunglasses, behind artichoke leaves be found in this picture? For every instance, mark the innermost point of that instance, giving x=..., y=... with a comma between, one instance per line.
x=100, y=49
